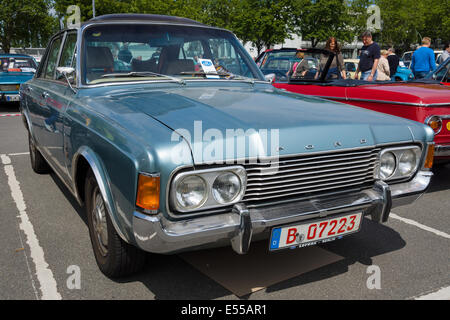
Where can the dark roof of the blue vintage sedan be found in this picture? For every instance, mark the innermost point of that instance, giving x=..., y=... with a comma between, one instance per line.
x=139, y=17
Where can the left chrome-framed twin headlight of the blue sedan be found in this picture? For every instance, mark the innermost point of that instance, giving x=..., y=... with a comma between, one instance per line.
x=207, y=189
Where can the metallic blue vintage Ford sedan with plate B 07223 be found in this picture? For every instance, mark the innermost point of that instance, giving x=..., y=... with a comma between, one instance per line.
x=185, y=145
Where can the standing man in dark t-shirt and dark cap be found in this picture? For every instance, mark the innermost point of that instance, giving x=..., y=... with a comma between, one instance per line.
x=370, y=56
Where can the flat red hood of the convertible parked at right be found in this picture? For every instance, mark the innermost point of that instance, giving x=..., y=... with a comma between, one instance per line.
x=413, y=93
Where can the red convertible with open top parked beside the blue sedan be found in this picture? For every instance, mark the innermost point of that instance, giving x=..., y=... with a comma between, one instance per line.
x=424, y=101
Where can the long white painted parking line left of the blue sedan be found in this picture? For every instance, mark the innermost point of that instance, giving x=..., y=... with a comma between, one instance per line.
x=44, y=274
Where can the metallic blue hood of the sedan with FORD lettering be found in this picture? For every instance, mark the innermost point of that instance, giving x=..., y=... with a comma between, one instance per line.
x=274, y=122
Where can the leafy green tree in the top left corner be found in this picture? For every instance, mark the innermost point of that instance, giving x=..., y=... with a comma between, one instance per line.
x=25, y=23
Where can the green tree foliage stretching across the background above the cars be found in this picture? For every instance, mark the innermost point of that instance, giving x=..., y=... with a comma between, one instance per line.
x=260, y=22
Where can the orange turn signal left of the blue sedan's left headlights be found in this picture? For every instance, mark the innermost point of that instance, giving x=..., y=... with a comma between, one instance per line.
x=148, y=193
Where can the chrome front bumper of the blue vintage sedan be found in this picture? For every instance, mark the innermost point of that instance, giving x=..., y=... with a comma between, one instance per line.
x=159, y=235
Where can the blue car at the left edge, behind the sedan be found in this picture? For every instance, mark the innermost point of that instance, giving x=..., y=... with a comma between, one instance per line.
x=15, y=69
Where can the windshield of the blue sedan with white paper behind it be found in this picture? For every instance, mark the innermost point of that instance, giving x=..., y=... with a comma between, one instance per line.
x=144, y=52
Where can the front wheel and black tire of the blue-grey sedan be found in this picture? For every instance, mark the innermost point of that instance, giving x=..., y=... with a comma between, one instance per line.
x=115, y=258
